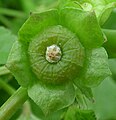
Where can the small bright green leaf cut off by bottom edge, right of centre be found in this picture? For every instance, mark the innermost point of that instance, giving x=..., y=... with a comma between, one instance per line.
x=75, y=113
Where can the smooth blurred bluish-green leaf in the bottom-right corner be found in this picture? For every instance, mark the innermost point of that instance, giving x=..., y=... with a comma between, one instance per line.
x=105, y=100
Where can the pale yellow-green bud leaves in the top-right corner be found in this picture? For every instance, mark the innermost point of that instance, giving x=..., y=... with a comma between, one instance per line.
x=102, y=8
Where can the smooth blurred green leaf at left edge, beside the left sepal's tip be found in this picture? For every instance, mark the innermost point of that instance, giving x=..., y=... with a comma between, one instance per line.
x=6, y=41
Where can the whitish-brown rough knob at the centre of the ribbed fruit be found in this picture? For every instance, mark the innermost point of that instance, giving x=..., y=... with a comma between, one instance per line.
x=53, y=54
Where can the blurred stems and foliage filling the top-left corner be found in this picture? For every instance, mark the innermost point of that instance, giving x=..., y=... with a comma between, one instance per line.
x=13, y=13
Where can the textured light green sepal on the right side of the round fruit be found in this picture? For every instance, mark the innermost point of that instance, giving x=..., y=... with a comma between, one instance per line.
x=96, y=68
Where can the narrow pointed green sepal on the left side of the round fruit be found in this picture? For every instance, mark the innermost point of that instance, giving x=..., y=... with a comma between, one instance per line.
x=18, y=65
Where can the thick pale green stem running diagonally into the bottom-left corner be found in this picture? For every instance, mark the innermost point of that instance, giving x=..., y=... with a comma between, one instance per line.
x=13, y=103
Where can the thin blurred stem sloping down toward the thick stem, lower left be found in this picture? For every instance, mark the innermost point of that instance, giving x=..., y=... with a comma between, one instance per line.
x=6, y=87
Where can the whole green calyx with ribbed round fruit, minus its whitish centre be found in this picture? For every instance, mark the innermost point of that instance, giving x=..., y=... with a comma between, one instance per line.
x=32, y=70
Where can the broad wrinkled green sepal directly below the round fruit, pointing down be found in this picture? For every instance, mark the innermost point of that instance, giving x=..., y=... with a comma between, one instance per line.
x=51, y=98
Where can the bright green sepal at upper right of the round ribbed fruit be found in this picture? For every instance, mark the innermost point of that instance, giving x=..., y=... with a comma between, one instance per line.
x=84, y=24
